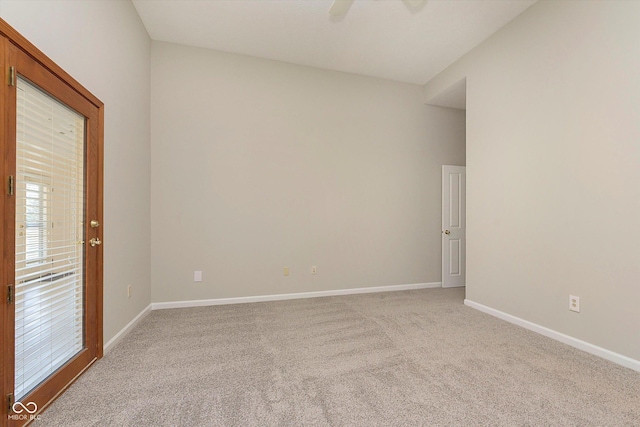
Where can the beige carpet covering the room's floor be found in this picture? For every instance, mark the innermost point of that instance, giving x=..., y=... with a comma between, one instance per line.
x=390, y=359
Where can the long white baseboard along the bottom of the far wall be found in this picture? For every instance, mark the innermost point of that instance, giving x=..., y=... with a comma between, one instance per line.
x=281, y=297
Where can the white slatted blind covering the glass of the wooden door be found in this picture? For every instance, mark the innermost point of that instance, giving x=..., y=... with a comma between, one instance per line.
x=49, y=252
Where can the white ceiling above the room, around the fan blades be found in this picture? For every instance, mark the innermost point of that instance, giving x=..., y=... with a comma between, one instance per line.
x=378, y=38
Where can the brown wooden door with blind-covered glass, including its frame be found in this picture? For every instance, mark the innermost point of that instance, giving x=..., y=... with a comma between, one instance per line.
x=52, y=229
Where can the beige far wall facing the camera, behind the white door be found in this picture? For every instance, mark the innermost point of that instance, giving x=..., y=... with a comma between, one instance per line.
x=258, y=164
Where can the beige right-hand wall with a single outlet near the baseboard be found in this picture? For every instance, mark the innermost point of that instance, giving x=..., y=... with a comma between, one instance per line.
x=553, y=156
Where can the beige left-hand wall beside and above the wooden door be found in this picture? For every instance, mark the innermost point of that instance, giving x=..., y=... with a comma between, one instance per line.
x=104, y=46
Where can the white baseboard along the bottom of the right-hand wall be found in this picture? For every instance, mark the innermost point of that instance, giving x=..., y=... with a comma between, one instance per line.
x=566, y=339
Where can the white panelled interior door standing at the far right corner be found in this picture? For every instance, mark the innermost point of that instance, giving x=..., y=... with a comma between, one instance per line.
x=453, y=226
